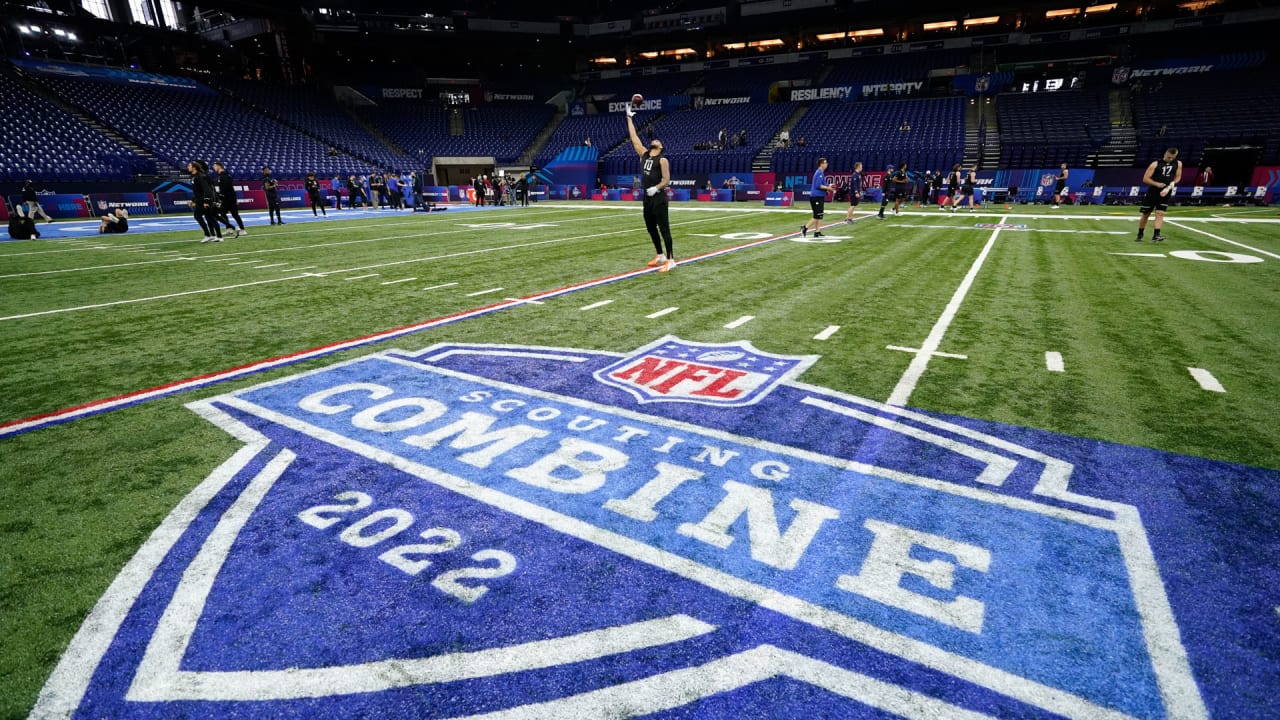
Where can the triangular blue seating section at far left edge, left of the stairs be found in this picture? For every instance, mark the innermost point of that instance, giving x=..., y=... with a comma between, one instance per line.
x=43, y=142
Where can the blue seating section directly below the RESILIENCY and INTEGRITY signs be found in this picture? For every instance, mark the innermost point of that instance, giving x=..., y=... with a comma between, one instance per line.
x=870, y=133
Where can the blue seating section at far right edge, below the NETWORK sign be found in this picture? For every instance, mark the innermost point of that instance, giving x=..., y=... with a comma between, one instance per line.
x=1212, y=110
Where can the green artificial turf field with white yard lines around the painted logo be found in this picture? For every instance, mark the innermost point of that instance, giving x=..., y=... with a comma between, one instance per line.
x=990, y=307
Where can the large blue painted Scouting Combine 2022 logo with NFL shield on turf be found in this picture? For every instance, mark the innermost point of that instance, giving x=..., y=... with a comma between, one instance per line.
x=529, y=532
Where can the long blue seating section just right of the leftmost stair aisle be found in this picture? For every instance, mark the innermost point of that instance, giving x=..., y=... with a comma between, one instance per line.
x=179, y=125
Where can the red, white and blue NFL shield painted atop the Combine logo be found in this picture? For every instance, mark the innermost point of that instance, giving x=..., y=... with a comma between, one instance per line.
x=679, y=371
